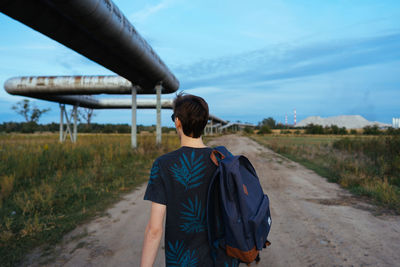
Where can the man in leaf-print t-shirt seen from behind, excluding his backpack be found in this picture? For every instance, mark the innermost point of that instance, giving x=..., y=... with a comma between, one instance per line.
x=178, y=186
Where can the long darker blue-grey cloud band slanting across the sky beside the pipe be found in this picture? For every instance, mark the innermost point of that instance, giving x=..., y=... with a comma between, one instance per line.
x=288, y=62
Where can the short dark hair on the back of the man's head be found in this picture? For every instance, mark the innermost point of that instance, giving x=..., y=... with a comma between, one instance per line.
x=192, y=111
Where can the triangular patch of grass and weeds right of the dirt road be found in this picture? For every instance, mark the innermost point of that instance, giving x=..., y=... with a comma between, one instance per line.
x=367, y=166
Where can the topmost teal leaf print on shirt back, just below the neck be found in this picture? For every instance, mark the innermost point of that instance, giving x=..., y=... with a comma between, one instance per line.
x=189, y=174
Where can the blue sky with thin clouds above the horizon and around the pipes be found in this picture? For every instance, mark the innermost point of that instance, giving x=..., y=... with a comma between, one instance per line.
x=248, y=59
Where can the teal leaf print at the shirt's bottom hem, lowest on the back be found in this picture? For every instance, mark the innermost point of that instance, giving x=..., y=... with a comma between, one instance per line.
x=178, y=256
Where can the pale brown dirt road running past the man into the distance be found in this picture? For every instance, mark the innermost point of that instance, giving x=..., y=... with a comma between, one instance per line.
x=314, y=223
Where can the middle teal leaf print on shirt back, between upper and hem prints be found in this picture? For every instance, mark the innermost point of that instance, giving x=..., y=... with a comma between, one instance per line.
x=193, y=216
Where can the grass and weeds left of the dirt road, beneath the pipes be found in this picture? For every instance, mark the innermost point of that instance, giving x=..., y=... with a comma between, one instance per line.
x=48, y=188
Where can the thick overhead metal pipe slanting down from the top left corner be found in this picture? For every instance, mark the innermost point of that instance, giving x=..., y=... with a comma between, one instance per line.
x=98, y=30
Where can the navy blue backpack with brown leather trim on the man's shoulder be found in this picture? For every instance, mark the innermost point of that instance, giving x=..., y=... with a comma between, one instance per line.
x=238, y=214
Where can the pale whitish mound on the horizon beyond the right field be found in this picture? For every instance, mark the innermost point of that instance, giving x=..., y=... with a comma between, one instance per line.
x=348, y=121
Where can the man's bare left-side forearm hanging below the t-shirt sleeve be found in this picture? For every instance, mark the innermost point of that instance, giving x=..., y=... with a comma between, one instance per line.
x=153, y=234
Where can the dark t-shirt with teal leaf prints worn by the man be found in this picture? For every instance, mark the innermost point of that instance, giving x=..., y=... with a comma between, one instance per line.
x=180, y=181
